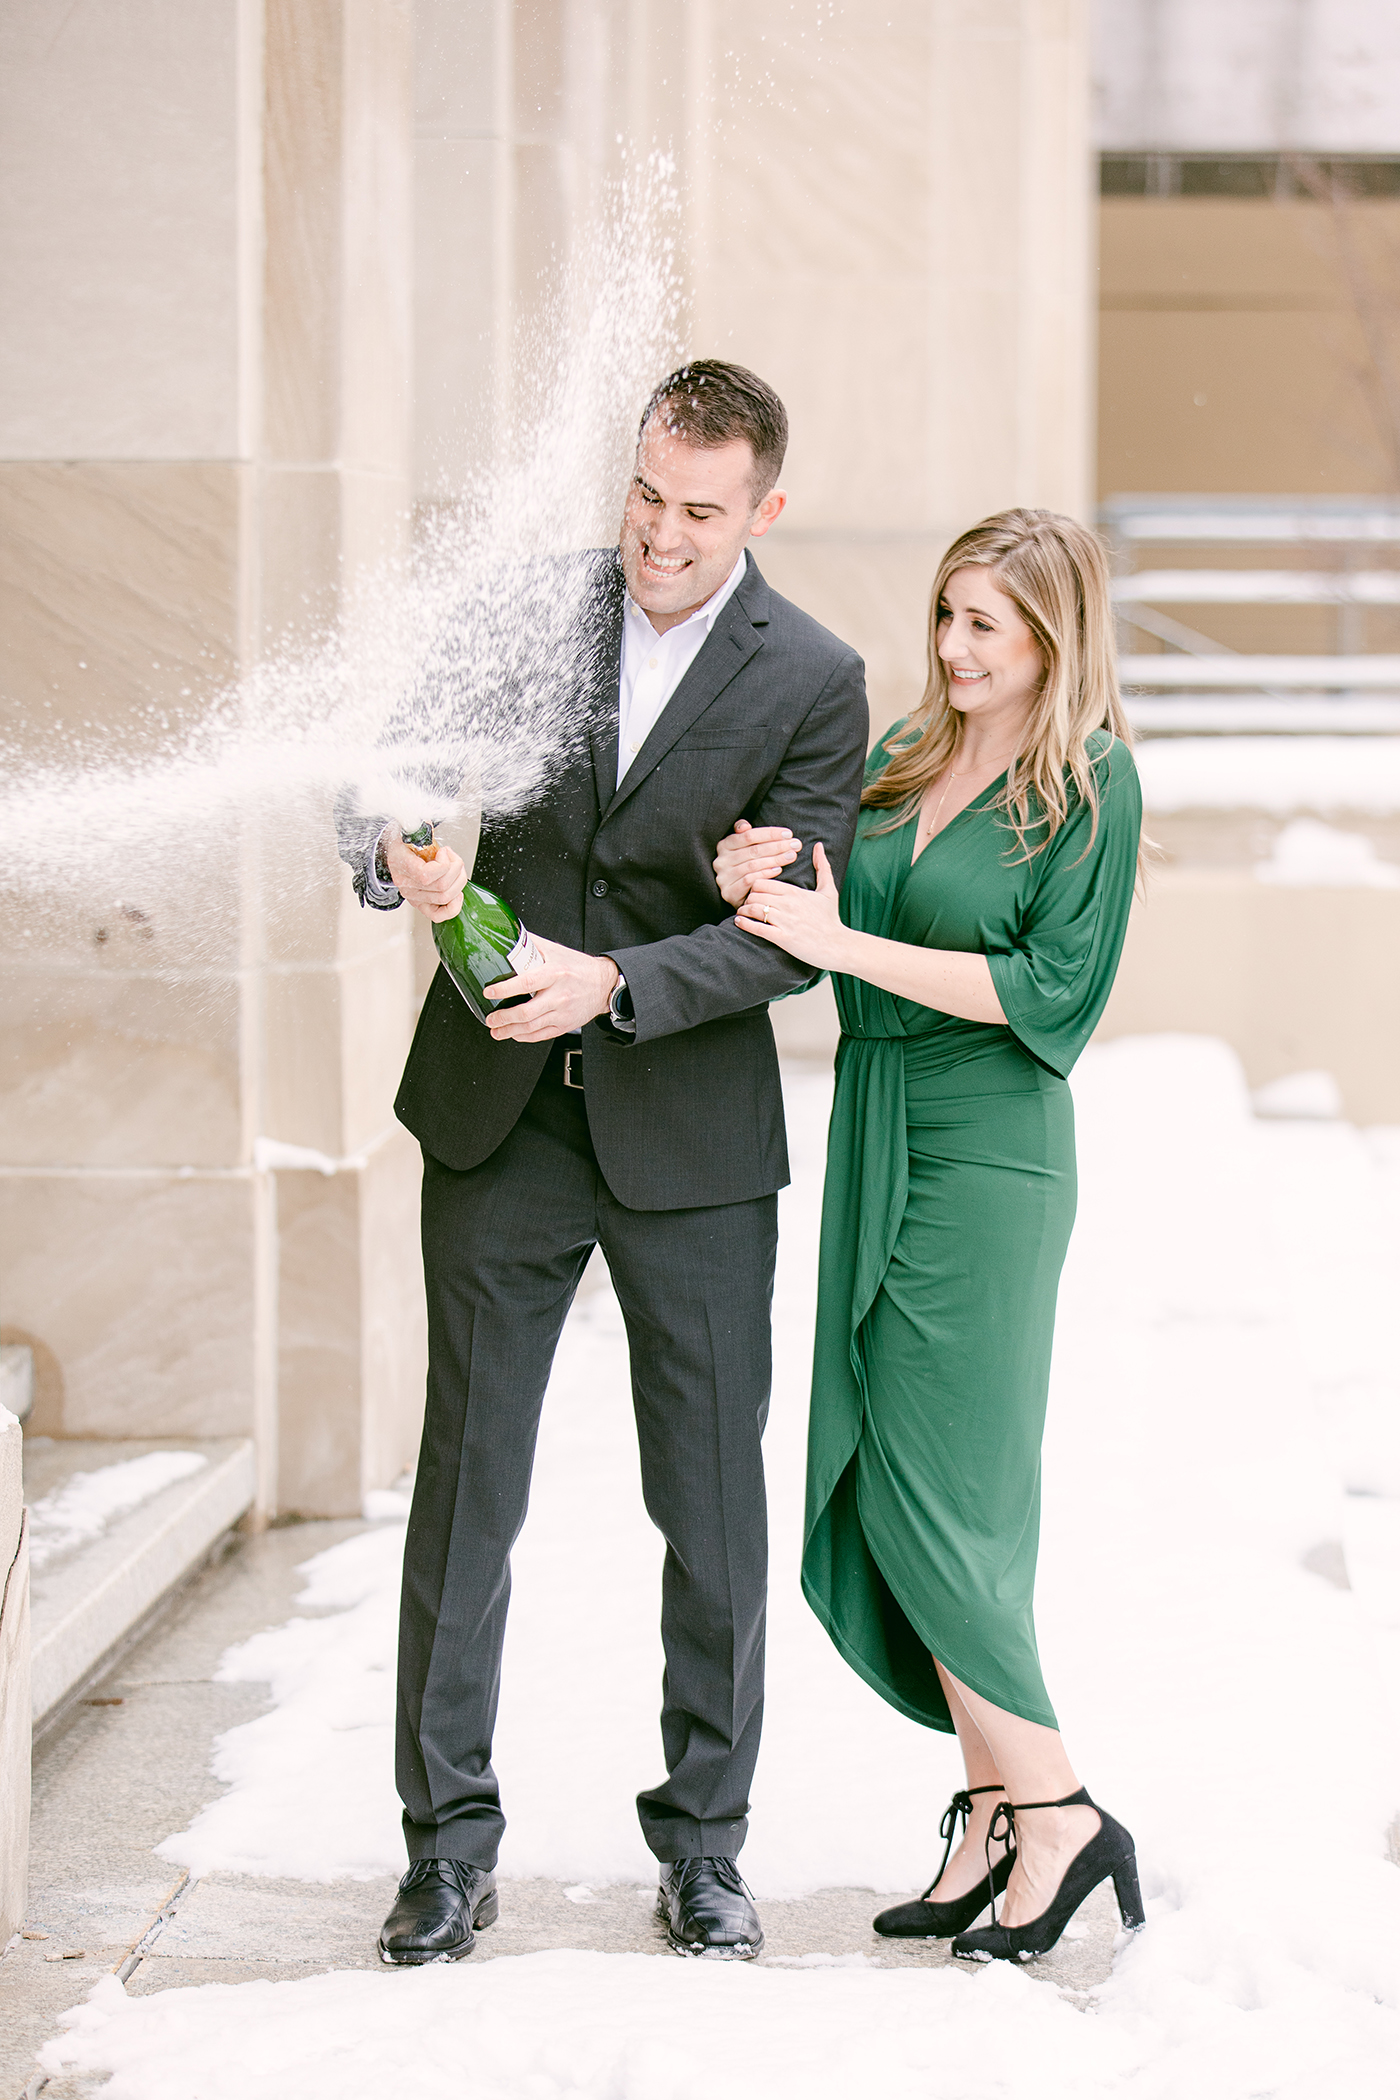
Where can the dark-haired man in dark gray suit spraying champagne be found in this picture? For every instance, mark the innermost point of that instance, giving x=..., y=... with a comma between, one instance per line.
x=631, y=1101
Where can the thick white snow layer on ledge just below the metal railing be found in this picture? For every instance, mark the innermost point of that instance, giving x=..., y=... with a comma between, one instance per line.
x=1277, y=774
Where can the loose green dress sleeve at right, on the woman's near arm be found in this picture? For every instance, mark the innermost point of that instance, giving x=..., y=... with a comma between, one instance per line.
x=1057, y=975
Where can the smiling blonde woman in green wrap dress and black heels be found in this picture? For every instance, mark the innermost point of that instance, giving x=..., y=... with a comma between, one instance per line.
x=973, y=952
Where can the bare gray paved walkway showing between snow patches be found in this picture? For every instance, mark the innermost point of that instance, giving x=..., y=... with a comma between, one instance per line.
x=133, y=1765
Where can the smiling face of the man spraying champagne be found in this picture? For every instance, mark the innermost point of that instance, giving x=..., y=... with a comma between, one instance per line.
x=690, y=513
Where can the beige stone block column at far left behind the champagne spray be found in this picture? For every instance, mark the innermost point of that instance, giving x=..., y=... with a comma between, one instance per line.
x=207, y=251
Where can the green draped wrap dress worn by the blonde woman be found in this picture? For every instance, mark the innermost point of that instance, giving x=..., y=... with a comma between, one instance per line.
x=948, y=1213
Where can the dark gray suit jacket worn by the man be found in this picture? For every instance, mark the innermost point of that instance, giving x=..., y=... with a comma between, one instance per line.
x=769, y=723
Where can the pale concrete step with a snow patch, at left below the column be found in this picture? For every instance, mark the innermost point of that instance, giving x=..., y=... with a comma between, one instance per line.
x=100, y=1568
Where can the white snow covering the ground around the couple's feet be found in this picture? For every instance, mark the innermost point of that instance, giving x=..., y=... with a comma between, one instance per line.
x=1223, y=1423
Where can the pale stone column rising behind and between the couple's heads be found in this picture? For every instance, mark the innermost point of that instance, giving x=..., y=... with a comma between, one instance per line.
x=893, y=222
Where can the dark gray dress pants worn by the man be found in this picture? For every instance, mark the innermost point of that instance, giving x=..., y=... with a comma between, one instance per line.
x=505, y=1248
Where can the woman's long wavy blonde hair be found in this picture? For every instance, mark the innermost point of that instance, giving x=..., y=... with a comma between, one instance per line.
x=1057, y=576
